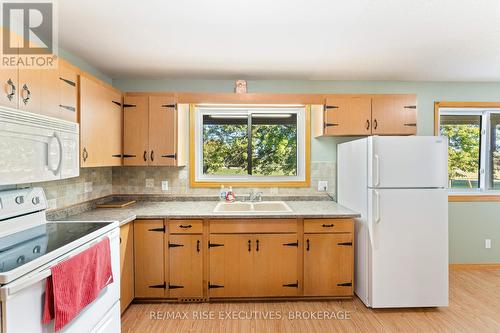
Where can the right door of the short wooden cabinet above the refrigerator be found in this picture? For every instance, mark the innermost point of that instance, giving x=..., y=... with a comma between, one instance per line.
x=394, y=115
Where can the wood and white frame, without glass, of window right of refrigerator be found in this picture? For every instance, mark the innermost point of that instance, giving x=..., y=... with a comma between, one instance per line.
x=483, y=193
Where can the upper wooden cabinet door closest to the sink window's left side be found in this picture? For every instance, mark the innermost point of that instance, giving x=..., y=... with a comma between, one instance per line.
x=162, y=130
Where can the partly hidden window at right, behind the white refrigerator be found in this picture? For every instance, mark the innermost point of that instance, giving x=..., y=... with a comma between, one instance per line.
x=474, y=148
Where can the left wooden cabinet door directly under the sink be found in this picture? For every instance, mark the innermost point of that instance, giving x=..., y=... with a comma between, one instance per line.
x=231, y=266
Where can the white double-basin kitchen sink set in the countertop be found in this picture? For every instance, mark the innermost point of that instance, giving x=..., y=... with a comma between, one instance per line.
x=253, y=207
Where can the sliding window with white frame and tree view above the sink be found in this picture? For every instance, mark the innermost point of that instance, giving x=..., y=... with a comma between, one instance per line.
x=257, y=144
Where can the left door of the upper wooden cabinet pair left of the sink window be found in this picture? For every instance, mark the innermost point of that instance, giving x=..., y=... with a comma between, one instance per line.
x=135, y=130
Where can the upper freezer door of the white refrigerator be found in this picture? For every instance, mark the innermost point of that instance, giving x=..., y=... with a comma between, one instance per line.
x=407, y=162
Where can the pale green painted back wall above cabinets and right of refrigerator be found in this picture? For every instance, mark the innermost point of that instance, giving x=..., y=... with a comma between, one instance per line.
x=470, y=223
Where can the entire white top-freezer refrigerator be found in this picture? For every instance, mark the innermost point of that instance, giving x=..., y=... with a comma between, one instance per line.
x=398, y=184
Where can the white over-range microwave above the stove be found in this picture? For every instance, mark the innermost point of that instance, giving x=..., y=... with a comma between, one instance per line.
x=35, y=148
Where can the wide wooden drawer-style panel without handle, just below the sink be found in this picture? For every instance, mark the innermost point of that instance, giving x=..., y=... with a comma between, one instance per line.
x=253, y=226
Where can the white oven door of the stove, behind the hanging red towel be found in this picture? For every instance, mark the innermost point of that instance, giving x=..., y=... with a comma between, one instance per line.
x=23, y=300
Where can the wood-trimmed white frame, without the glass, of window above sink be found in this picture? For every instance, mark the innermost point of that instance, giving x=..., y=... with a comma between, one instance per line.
x=198, y=179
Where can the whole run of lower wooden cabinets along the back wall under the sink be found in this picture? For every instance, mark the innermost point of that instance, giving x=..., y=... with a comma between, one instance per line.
x=170, y=258
